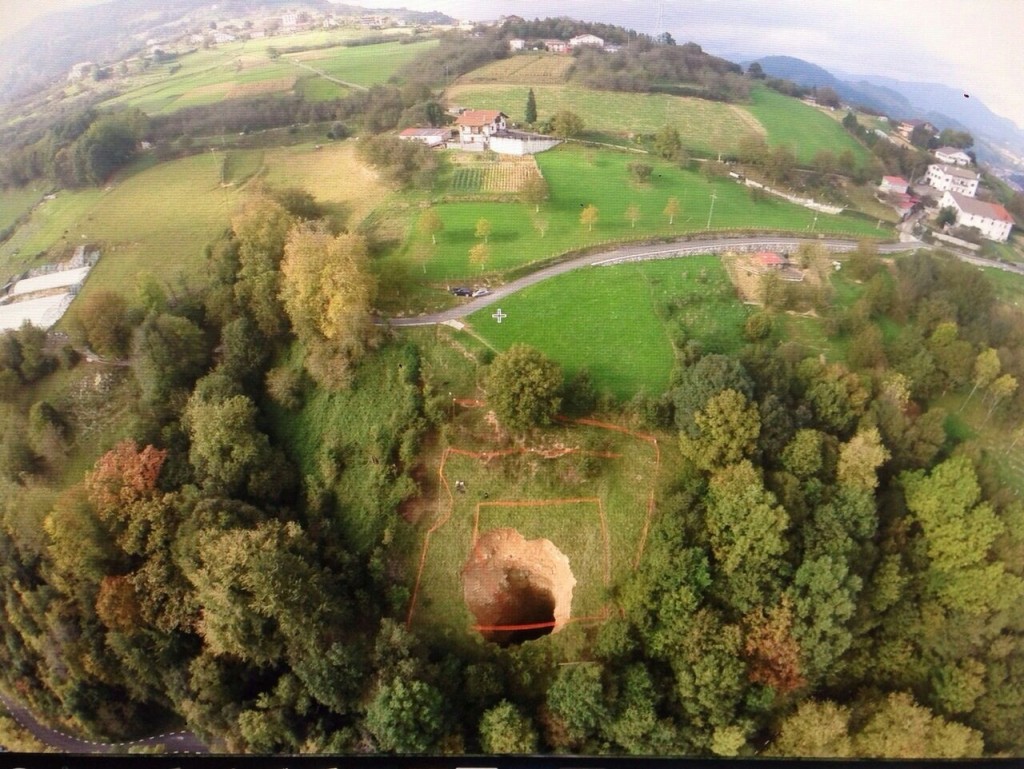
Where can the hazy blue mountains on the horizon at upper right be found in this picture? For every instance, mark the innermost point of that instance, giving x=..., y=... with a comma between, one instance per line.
x=943, y=106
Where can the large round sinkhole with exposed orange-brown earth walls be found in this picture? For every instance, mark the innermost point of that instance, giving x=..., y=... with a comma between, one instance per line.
x=518, y=589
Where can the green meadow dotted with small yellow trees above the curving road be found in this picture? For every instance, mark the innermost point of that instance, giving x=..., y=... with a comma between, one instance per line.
x=578, y=178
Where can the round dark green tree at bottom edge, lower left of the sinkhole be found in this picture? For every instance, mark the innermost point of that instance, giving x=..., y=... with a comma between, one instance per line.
x=405, y=716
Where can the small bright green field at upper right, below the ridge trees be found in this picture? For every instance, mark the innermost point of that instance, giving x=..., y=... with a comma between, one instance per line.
x=804, y=129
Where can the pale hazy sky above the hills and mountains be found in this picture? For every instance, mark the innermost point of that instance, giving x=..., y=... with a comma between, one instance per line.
x=971, y=46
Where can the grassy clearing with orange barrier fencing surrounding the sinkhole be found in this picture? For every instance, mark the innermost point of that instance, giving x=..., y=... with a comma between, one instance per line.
x=579, y=489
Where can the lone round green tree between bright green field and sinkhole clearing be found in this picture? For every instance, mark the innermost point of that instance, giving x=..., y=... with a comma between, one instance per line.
x=524, y=388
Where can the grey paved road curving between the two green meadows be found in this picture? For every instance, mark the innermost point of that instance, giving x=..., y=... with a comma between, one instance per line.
x=641, y=253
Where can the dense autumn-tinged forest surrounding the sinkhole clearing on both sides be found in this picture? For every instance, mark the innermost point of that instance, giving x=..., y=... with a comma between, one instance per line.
x=827, y=564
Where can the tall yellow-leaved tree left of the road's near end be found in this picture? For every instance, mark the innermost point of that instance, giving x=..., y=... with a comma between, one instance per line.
x=328, y=290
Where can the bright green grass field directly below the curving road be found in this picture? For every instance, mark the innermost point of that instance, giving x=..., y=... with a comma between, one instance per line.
x=621, y=322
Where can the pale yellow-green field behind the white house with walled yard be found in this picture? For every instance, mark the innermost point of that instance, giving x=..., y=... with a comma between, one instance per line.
x=705, y=126
